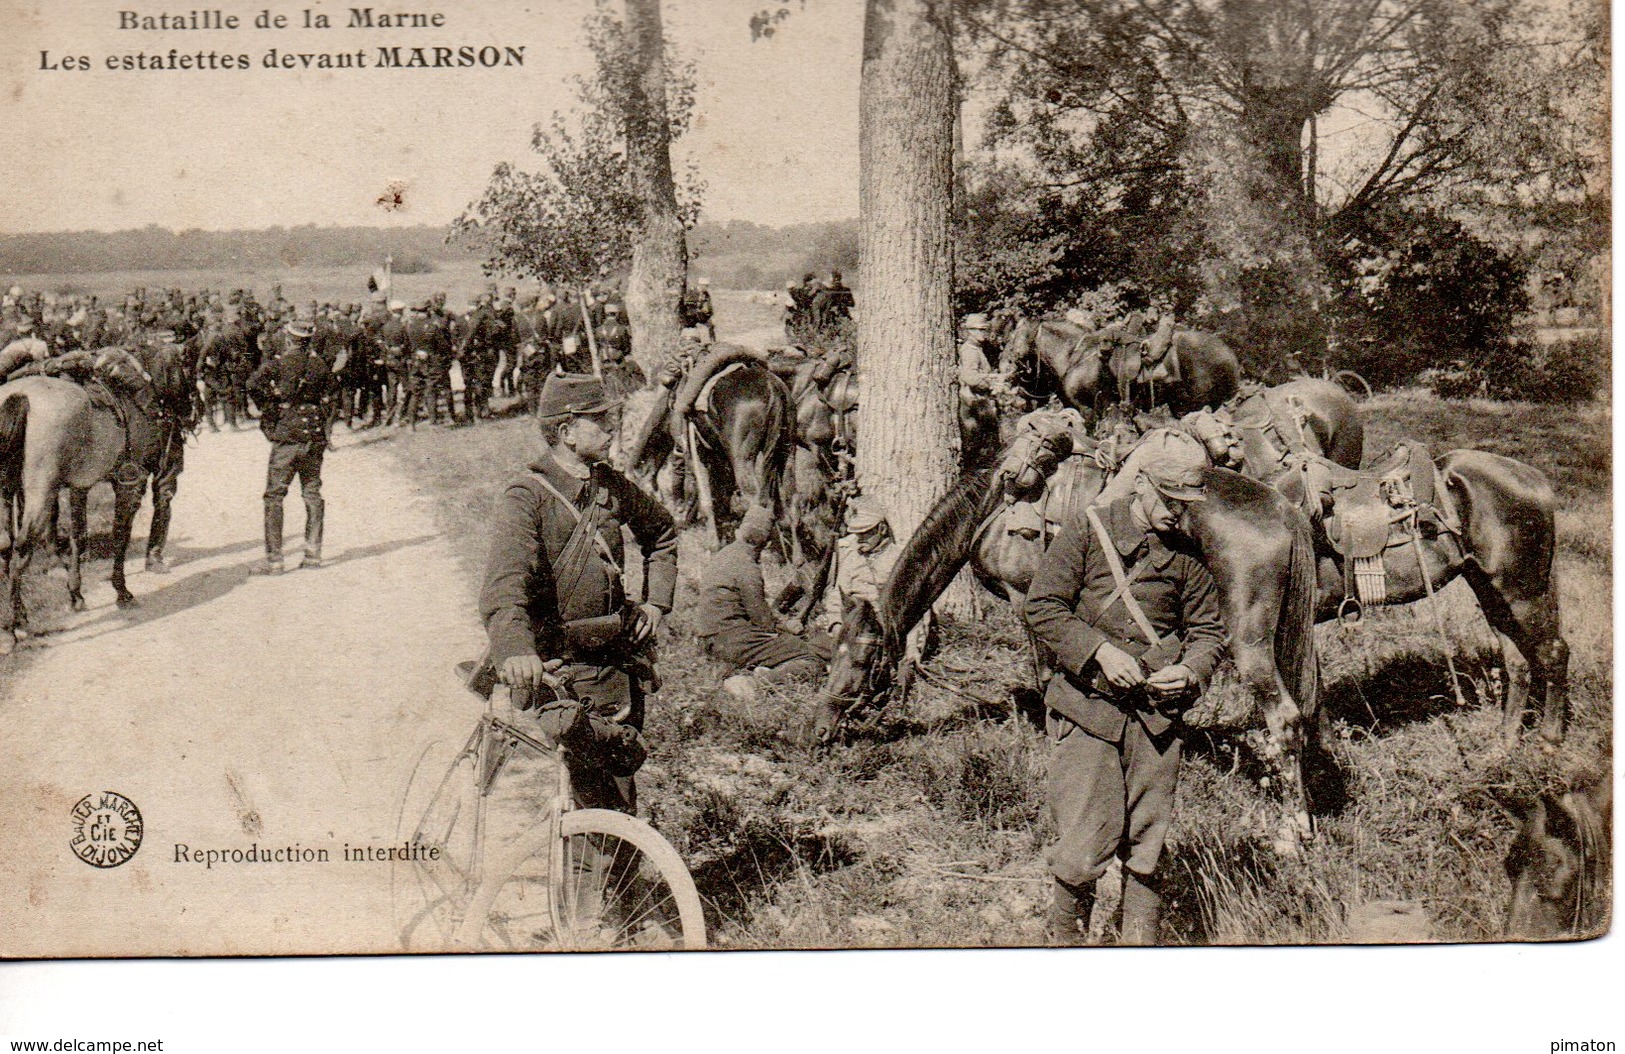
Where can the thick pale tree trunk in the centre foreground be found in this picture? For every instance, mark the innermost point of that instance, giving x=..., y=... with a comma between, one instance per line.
x=908, y=421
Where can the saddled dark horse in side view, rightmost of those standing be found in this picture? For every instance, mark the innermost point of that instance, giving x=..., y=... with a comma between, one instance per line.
x=1410, y=525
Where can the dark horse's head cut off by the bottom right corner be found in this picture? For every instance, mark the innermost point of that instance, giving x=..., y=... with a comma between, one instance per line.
x=1561, y=863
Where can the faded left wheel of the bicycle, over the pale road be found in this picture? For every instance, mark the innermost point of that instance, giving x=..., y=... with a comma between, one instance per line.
x=438, y=811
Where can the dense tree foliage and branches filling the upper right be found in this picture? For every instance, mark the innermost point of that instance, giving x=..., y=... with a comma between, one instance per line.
x=1237, y=160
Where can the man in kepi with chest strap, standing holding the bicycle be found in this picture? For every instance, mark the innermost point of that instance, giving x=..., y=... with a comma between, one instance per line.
x=555, y=598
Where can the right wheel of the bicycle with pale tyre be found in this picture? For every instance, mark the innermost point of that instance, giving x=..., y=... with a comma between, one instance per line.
x=609, y=883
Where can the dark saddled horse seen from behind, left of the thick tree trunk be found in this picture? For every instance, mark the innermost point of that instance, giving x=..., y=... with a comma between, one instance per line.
x=730, y=417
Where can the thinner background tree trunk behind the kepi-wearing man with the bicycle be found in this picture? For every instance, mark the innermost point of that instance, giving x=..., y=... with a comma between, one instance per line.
x=661, y=259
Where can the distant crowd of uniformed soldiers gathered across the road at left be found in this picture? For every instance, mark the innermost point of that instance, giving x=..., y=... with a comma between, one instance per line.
x=392, y=360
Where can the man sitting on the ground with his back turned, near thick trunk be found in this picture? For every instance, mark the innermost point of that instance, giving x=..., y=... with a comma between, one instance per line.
x=735, y=623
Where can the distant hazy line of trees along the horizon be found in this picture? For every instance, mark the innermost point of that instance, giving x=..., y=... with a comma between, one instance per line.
x=732, y=256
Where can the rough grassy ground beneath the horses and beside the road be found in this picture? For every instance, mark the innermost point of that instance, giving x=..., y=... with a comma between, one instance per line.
x=932, y=831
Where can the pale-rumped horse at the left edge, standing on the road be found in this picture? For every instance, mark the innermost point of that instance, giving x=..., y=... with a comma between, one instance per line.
x=54, y=434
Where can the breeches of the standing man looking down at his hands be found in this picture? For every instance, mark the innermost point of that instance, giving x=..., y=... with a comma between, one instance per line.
x=1111, y=800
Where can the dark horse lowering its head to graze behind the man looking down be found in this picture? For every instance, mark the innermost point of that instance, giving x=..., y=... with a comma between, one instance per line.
x=1255, y=542
